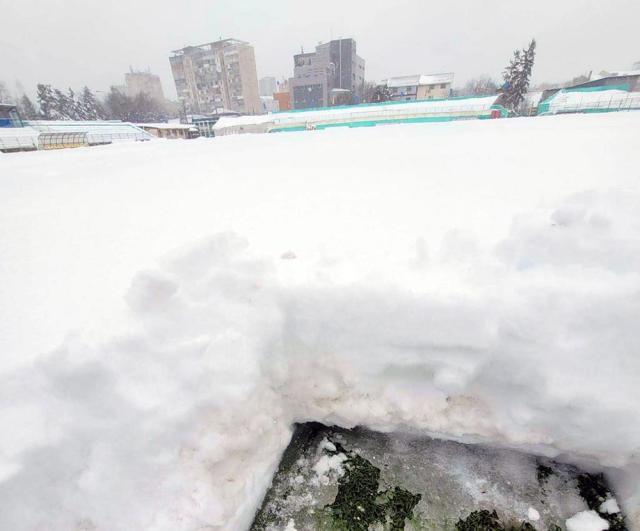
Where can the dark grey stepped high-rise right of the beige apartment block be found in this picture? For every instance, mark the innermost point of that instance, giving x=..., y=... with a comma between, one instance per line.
x=333, y=74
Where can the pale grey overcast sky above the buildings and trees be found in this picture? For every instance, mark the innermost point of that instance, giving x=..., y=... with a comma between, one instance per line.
x=93, y=42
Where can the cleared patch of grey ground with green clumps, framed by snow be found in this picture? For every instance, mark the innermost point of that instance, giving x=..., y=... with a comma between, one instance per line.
x=370, y=491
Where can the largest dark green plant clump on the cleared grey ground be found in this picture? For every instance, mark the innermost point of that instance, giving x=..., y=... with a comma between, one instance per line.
x=358, y=504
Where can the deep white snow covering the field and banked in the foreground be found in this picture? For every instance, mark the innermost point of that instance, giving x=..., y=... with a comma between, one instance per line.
x=168, y=309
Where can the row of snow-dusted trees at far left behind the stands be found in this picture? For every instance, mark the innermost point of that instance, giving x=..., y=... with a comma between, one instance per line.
x=54, y=104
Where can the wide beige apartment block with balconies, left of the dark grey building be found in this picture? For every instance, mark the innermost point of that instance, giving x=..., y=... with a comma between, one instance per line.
x=217, y=76
